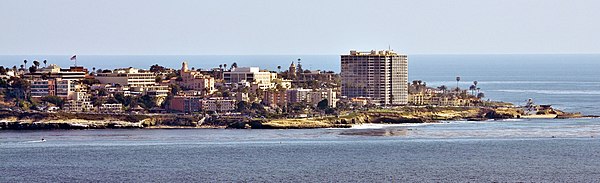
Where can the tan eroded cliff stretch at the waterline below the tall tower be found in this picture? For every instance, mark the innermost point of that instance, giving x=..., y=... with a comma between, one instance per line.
x=391, y=116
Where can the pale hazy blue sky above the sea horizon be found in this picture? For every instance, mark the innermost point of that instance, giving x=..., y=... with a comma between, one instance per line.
x=297, y=26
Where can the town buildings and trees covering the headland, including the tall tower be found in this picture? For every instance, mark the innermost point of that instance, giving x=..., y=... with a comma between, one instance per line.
x=367, y=79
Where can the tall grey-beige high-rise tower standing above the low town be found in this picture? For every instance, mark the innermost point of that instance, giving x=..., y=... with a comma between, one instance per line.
x=379, y=75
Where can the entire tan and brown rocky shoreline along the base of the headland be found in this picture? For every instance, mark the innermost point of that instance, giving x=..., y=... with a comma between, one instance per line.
x=50, y=121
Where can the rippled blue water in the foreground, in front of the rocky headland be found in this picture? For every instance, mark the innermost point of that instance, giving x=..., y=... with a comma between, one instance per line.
x=458, y=151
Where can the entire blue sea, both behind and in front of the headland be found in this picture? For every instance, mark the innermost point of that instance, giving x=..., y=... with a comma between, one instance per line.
x=514, y=150
